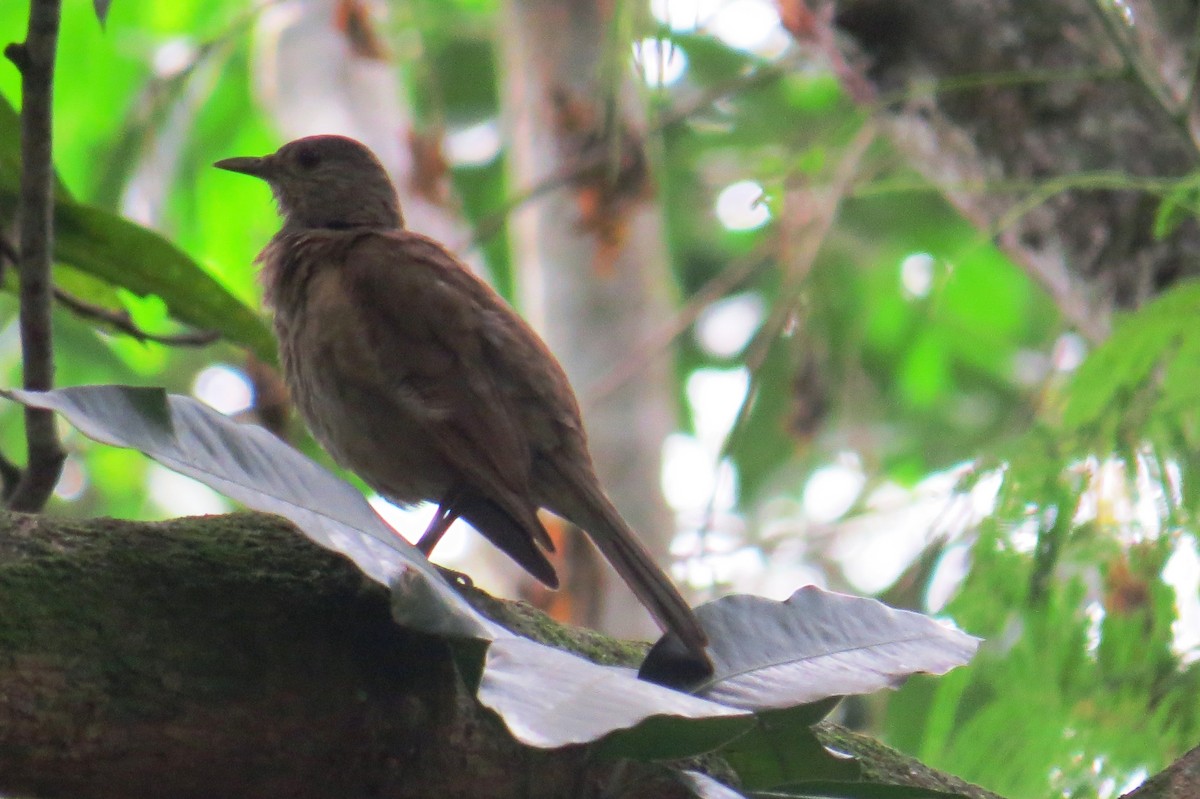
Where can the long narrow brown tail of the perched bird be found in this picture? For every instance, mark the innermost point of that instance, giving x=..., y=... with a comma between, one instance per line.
x=620, y=545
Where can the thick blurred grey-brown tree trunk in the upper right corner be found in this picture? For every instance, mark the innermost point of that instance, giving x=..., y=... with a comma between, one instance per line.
x=1055, y=127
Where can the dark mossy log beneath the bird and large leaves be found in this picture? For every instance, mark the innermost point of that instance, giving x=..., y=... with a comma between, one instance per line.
x=229, y=657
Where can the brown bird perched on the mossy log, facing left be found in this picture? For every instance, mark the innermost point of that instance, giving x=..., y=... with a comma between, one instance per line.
x=417, y=376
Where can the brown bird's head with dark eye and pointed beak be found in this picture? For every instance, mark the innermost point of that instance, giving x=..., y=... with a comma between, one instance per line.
x=326, y=182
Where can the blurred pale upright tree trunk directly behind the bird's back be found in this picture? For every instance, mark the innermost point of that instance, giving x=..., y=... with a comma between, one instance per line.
x=592, y=260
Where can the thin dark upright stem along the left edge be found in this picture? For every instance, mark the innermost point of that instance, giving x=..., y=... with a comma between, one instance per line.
x=35, y=61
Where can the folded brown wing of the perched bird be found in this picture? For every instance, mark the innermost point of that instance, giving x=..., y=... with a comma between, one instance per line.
x=427, y=319
